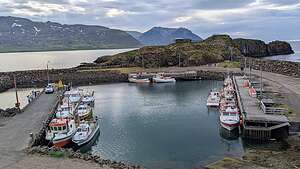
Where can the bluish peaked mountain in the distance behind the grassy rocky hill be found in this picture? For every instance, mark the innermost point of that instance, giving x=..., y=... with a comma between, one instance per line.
x=165, y=36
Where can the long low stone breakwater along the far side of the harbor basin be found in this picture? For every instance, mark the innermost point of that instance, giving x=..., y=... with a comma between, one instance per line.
x=79, y=76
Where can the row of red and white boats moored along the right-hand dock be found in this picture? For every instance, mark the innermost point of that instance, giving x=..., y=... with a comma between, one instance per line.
x=226, y=101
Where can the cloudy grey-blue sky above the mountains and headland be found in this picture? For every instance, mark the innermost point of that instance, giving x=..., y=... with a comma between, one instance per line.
x=264, y=19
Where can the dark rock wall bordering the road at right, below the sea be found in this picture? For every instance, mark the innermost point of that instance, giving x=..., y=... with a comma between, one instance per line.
x=274, y=66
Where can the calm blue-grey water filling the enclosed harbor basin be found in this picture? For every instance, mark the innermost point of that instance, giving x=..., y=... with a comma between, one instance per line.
x=161, y=125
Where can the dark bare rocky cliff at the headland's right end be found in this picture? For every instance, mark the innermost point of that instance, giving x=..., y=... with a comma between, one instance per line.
x=258, y=48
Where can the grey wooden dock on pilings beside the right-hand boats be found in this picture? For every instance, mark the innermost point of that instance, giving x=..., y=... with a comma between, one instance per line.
x=256, y=123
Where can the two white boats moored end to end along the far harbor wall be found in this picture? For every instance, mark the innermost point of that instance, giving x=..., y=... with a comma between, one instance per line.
x=158, y=78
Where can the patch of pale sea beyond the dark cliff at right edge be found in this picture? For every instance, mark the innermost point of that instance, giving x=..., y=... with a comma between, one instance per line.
x=293, y=57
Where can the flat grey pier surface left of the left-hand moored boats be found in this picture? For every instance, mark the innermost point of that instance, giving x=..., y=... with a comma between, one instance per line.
x=14, y=133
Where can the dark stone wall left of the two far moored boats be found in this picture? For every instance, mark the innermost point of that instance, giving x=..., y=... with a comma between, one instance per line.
x=76, y=76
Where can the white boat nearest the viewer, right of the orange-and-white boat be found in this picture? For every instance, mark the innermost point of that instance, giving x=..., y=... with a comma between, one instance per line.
x=85, y=133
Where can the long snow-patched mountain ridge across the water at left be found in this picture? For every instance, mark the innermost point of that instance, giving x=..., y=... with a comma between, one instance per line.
x=20, y=34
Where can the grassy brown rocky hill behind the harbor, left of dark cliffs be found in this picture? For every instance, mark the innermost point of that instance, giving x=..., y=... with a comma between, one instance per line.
x=214, y=49
